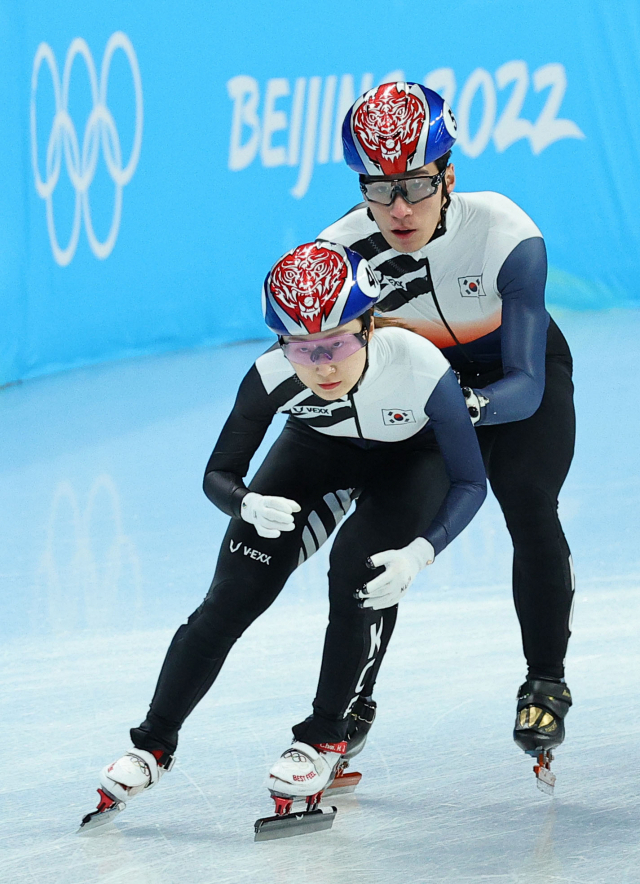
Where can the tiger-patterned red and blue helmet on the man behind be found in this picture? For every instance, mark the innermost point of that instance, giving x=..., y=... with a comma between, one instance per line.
x=396, y=128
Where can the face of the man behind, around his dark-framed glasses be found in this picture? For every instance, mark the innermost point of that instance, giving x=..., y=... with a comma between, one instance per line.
x=408, y=227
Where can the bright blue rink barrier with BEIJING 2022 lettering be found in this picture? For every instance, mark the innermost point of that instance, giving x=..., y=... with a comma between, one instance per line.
x=157, y=158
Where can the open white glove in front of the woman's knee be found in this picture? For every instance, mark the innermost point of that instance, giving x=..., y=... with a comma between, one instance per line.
x=401, y=567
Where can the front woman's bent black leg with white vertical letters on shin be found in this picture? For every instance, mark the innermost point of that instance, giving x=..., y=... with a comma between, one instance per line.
x=400, y=498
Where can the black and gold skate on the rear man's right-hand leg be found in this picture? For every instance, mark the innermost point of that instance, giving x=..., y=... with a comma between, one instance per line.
x=539, y=728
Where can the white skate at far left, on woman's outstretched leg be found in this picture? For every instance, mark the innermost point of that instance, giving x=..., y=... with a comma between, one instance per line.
x=122, y=780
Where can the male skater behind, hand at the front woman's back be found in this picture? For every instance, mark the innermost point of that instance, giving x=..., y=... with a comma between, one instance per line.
x=467, y=271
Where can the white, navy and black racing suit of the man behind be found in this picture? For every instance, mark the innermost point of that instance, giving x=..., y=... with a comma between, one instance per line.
x=476, y=290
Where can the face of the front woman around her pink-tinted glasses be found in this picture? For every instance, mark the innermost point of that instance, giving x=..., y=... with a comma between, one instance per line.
x=331, y=380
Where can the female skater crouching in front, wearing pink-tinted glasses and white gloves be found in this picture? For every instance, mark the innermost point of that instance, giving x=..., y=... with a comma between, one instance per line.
x=379, y=411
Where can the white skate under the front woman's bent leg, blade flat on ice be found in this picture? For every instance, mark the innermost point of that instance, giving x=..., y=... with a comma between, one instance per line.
x=302, y=771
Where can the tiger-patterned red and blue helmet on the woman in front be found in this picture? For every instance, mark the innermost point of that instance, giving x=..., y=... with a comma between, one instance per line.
x=317, y=287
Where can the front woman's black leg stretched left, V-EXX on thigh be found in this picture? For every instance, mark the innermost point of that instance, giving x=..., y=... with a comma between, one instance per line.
x=250, y=574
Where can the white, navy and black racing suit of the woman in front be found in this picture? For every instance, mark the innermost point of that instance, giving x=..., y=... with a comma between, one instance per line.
x=402, y=436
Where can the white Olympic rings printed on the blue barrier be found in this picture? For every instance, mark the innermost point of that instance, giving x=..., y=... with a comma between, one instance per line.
x=100, y=131
